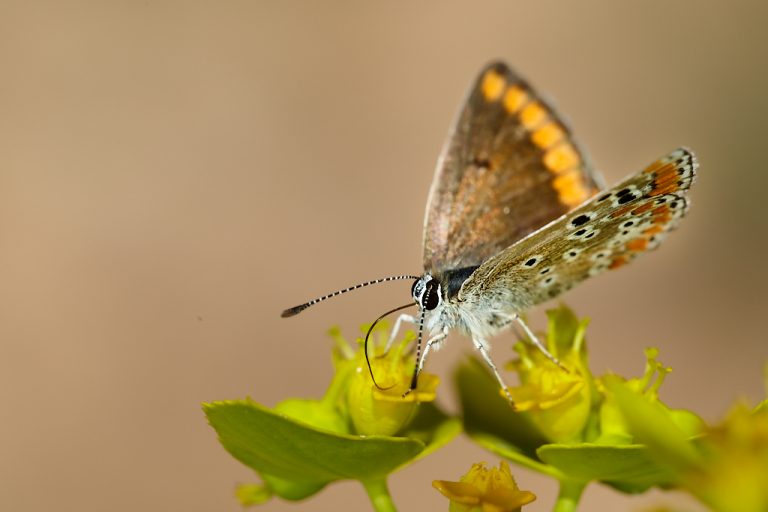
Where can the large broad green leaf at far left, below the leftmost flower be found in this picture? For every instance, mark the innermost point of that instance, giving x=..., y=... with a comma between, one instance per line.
x=276, y=445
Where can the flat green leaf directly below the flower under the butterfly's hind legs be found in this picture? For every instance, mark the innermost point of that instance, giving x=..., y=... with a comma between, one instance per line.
x=629, y=467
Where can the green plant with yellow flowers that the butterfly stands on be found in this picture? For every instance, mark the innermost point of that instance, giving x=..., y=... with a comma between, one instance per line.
x=567, y=424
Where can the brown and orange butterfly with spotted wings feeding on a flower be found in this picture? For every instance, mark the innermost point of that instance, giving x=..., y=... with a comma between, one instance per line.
x=516, y=216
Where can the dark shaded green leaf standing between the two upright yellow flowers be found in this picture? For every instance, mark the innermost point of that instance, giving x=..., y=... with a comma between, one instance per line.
x=485, y=411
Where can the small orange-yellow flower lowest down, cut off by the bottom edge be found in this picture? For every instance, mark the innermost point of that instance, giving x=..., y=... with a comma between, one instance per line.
x=483, y=490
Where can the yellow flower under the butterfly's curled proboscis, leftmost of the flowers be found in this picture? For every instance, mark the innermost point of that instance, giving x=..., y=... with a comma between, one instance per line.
x=385, y=411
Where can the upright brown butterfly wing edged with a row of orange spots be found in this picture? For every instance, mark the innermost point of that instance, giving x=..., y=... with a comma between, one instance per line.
x=510, y=166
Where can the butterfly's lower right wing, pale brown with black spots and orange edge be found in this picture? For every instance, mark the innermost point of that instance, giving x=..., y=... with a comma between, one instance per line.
x=605, y=233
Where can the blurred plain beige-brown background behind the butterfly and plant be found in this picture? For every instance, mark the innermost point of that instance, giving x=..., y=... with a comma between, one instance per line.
x=174, y=174
